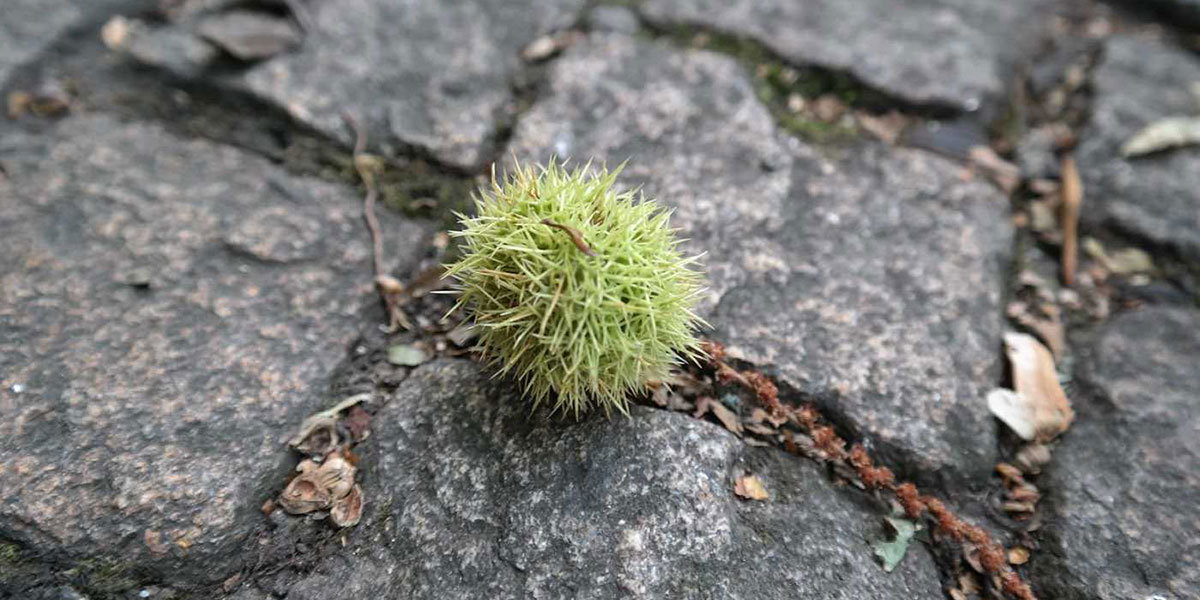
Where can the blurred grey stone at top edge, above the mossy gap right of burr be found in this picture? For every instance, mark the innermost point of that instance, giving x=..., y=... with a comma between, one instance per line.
x=950, y=53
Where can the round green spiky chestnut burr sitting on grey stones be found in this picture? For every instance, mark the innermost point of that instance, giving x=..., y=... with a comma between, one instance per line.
x=578, y=290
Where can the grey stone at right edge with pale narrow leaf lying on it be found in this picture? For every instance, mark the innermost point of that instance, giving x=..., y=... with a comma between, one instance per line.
x=1154, y=199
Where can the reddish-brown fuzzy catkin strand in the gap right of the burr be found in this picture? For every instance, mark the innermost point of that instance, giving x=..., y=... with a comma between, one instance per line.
x=802, y=430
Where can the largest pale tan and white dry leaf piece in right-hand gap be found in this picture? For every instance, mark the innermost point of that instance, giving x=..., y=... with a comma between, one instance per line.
x=1035, y=379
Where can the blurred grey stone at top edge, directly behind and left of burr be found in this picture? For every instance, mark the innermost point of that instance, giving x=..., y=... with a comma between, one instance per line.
x=437, y=77
